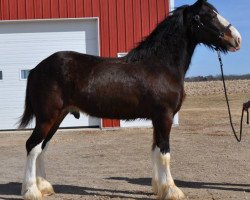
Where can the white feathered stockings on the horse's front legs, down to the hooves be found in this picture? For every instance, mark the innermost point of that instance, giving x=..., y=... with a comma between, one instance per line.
x=162, y=182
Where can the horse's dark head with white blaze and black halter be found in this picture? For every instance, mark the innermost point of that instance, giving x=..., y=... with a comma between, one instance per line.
x=210, y=28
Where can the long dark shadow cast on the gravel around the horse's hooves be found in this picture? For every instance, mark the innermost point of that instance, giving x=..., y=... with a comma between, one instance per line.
x=14, y=188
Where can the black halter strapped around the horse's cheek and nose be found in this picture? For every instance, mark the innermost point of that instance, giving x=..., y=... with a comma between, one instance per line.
x=200, y=25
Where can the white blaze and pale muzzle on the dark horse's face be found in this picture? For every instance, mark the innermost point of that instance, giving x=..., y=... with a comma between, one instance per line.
x=236, y=37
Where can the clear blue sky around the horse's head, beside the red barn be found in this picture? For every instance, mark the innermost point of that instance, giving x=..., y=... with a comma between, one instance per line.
x=205, y=61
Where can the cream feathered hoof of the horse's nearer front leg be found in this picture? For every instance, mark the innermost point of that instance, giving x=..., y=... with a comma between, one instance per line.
x=171, y=192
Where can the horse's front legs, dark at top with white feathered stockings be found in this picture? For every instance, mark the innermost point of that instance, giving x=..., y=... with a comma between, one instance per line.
x=162, y=181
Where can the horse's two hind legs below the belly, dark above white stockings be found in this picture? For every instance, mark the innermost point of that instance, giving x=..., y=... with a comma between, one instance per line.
x=35, y=185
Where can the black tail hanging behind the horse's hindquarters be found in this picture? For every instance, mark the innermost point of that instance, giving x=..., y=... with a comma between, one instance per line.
x=28, y=111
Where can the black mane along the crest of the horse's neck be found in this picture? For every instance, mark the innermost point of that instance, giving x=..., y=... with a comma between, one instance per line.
x=165, y=30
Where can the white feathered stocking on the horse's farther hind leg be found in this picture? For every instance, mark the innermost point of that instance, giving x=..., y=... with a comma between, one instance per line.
x=43, y=185
